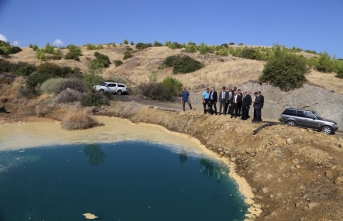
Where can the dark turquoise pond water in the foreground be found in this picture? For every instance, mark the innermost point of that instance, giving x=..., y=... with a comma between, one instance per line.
x=124, y=181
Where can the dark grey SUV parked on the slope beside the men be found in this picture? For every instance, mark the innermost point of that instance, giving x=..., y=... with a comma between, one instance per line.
x=307, y=118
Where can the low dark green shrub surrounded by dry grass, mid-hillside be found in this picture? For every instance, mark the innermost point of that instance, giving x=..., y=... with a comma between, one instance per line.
x=182, y=64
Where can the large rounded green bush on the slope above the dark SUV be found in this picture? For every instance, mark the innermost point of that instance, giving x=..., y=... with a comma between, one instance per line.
x=285, y=70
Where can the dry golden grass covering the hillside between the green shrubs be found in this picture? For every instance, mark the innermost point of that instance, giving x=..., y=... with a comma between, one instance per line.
x=218, y=71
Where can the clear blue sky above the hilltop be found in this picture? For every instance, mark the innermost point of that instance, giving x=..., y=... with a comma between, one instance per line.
x=308, y=24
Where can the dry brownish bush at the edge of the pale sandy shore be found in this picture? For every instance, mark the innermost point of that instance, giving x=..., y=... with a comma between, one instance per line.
x=79, y=120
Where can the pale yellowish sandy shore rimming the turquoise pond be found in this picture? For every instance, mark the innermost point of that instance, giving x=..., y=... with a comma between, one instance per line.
x=26, y=135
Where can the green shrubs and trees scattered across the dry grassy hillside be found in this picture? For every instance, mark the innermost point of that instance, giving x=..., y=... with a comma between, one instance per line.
x=284, y=67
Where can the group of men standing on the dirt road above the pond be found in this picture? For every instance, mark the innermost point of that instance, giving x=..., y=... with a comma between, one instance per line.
x=232, y=102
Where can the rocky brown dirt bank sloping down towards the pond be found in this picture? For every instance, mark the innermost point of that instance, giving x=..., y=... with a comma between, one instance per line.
x=295, y=174
